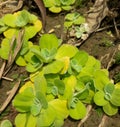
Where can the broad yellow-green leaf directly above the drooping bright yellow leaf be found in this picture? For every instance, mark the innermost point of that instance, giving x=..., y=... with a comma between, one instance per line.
x=66, y=50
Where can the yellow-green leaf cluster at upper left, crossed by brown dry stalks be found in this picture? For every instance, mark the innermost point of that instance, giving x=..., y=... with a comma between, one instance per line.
x=11, y=24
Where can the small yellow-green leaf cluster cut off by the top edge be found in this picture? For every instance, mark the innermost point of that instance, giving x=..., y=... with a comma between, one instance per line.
x=57, y=6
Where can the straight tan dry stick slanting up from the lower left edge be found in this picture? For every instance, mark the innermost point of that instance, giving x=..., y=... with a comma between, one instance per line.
x=9, y=98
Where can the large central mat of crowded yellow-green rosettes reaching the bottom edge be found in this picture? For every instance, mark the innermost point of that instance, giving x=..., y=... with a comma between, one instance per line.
x=63, y=80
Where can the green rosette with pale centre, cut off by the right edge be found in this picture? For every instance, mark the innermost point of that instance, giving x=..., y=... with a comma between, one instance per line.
x=108, y=98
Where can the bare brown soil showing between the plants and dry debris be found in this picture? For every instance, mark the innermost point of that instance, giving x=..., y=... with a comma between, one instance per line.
x=95, y=46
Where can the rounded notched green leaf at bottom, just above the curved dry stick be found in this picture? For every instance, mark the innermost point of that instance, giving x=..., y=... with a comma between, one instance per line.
x=78, y=112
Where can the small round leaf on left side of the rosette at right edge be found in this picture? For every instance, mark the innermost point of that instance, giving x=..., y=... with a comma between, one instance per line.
x=99, y=98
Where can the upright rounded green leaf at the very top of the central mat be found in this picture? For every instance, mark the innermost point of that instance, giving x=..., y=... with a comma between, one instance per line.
x=48, y=41
